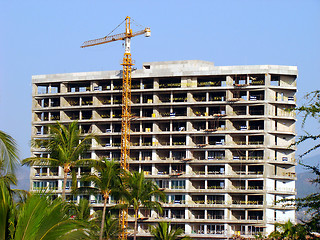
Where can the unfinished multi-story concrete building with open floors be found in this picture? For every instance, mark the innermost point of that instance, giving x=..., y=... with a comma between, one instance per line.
x=216, y=139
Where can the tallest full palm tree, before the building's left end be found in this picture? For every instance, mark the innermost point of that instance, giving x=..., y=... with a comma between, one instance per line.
x=65, y=146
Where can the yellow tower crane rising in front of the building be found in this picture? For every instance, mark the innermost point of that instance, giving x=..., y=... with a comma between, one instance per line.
x=126, y=100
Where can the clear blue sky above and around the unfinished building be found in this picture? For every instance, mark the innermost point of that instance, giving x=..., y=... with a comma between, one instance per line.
x=43, y=37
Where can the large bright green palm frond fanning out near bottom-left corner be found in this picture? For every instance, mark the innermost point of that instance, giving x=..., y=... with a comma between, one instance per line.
x=43, y=219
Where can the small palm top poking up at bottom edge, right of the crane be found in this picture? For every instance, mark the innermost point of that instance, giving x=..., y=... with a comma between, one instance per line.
x=163, y=232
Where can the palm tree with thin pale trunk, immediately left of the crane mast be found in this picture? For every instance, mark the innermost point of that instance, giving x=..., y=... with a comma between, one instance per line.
x=106, y=182
